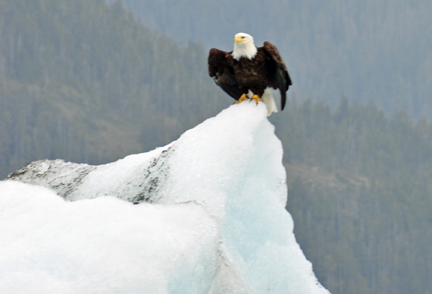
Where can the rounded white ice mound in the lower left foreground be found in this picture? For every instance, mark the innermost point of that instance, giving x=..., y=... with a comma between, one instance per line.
x=103, y=245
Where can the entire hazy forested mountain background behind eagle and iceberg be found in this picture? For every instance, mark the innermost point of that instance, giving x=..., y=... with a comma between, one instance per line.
x=87, y=82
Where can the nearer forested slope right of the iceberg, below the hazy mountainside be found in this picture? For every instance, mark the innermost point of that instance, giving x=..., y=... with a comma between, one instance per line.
x=360, y=195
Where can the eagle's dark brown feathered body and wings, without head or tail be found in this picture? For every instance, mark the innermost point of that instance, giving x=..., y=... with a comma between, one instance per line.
x=236, y=77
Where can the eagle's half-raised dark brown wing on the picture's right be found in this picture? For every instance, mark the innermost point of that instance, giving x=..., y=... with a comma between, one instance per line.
x=277, y=70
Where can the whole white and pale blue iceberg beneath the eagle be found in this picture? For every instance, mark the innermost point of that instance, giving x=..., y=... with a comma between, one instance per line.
x=204, y=214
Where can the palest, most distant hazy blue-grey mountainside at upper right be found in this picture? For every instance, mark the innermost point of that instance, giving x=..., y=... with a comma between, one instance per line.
x=374, y=49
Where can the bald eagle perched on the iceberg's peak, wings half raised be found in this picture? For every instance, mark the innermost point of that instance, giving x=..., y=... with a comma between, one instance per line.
x=248, y=70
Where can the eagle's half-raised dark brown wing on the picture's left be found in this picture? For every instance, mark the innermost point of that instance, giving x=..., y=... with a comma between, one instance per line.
x=222, y=73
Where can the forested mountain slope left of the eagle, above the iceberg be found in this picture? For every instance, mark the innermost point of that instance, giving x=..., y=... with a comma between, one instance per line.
x=81, y=80
